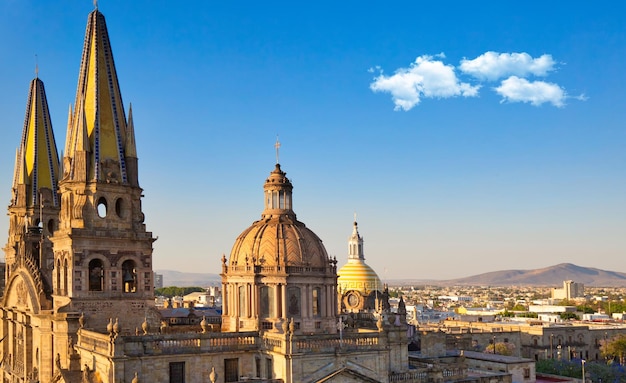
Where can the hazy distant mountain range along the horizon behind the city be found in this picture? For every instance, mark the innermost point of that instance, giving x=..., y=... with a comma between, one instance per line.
x=550, y=276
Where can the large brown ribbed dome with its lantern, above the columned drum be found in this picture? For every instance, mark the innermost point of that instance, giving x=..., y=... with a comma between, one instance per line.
x=278, y=239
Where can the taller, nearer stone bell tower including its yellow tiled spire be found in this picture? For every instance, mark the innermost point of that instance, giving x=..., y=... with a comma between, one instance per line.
x=102, y=251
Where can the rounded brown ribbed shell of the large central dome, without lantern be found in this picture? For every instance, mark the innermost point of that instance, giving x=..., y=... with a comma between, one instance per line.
x=278, y=242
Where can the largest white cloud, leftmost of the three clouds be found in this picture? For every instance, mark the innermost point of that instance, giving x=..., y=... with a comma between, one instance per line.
x=426, y=77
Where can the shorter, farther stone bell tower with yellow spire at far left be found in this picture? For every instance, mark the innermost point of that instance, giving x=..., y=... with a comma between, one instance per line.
x=33, y=212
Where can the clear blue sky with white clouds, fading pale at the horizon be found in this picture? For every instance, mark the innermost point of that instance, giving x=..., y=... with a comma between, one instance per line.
x=467, y=137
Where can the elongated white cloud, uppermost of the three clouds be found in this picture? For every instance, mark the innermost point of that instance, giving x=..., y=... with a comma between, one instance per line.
x=493, y=65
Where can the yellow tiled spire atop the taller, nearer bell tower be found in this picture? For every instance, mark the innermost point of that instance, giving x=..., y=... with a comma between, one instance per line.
x=98, y=129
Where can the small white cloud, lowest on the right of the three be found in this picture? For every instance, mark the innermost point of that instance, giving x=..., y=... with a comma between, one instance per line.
x=515, y=89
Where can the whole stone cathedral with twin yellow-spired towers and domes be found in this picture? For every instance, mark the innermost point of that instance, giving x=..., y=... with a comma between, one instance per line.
x=78, y=303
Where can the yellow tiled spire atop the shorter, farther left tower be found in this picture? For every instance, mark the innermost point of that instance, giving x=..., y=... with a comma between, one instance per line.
x=37, y=160
